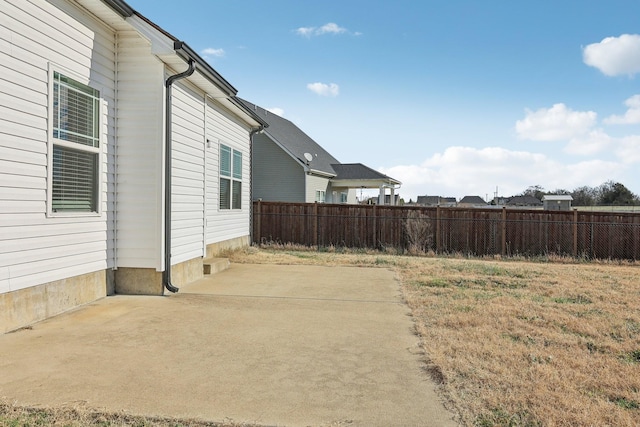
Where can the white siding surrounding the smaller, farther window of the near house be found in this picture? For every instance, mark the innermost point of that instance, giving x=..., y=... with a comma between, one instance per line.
x=224, y=128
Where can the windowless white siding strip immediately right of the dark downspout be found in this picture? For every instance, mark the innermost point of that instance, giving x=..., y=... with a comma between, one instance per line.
x=187, y=225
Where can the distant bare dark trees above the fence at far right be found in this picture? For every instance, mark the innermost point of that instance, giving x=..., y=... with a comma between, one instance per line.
x=609, y=193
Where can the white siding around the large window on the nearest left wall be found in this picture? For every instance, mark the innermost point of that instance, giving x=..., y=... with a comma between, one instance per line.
x=34, y=248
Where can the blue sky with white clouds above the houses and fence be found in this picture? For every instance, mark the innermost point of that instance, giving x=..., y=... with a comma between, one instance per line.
x=452, y=97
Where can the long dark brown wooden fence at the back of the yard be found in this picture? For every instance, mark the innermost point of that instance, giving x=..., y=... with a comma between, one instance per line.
x=474, y=231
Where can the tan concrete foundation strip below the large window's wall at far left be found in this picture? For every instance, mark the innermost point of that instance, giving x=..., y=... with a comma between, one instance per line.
x=26, y=306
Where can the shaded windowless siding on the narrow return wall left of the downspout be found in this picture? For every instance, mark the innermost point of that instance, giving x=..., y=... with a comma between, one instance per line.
x=140, y=208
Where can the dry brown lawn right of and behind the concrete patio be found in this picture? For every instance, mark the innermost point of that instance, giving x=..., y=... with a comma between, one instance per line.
x=516, y=343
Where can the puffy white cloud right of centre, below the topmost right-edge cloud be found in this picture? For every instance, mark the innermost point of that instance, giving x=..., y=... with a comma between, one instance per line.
x=555, y=124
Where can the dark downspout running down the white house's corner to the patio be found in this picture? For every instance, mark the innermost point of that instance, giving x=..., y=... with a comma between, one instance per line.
x=166, y=275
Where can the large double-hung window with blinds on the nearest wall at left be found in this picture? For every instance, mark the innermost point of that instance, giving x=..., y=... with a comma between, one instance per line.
x=75, y=146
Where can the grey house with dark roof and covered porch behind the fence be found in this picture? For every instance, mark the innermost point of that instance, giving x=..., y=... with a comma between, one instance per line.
x=289, y=166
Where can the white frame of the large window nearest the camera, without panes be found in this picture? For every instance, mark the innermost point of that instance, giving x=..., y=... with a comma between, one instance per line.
x=53, y=142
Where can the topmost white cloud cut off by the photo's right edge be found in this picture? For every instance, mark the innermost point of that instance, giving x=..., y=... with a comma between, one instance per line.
x=614, y=56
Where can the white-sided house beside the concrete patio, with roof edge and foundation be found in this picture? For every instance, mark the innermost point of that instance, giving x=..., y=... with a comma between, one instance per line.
x=123, y=156
